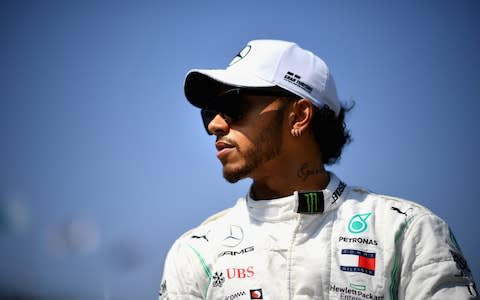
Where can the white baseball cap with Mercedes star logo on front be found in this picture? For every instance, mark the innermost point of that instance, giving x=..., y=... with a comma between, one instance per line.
x=268, y=63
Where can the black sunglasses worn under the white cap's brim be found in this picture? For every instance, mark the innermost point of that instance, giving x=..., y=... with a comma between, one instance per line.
x=231, y=107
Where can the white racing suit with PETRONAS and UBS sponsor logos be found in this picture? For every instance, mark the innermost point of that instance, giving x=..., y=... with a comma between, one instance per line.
x=338, y=243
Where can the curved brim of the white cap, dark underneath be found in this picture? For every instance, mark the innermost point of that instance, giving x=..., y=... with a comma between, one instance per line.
x=202, y=85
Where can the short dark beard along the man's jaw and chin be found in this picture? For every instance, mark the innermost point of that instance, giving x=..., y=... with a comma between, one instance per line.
x=267, y=146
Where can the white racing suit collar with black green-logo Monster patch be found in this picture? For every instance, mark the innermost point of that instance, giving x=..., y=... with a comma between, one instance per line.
x=300, y=202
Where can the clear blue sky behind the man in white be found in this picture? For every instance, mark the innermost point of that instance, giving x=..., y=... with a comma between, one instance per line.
x=103, y=163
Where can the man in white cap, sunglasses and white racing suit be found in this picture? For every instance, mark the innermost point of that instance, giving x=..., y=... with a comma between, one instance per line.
x=301, y=232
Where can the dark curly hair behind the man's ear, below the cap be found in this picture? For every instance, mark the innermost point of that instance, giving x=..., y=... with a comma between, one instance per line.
x=331, y=133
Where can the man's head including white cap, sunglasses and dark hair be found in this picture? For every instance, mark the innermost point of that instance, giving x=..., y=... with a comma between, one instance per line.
x=271, y=92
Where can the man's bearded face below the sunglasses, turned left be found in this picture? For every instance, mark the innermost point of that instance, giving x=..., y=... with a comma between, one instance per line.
x=245, y=145
